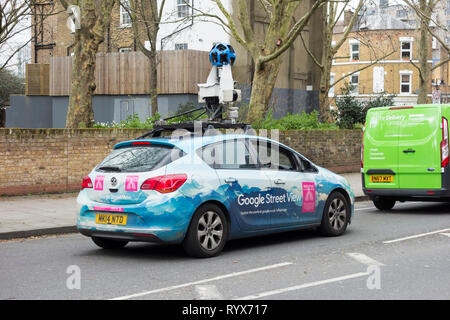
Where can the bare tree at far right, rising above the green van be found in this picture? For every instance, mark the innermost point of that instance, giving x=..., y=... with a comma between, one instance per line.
x=424, y=10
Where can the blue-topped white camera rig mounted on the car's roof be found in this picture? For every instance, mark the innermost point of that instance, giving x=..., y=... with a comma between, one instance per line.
x=218, y=93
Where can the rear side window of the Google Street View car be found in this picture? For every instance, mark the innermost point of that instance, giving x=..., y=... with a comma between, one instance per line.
x=229, y=154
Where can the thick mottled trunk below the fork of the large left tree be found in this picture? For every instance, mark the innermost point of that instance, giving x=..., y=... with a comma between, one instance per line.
x=80, y=113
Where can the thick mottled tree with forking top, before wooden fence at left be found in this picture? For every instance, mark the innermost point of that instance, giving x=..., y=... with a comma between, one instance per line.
x=95, y=17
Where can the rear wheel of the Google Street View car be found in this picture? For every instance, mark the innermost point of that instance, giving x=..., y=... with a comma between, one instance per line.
x=207, y=233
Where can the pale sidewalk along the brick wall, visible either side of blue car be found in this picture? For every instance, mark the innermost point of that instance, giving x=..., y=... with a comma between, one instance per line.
x=38, y=215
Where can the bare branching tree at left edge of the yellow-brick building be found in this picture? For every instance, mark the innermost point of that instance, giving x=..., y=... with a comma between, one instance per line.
x=334, y=12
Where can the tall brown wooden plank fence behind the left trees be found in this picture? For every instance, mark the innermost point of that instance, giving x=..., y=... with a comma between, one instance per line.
x=129, y=73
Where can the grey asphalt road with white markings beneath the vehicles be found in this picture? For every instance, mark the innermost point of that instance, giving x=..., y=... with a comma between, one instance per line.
x=400, y=254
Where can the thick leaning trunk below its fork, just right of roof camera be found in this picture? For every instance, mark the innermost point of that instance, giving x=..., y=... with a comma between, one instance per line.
x=264, y=79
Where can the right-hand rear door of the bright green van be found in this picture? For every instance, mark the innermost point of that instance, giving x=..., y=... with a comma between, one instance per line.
x=419, y=158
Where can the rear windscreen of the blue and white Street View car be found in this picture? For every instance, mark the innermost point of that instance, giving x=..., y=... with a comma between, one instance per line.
x=139, y=158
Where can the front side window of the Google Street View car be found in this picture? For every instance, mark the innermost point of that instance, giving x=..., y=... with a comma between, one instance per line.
x=274, y=156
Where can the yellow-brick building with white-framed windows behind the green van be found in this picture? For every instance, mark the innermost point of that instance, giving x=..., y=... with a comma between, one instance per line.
x=379, y=34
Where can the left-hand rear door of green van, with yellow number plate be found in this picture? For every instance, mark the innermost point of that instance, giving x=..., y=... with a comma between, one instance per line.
x=380, y=160
